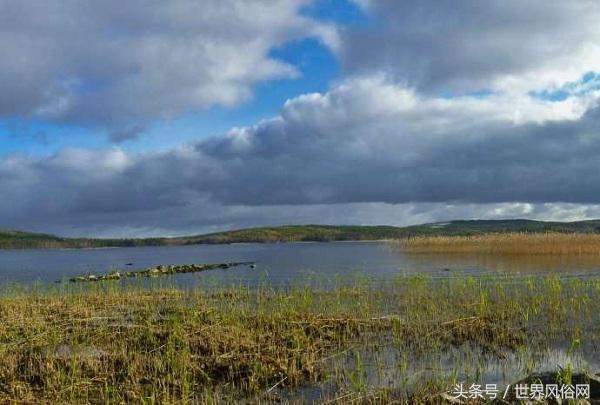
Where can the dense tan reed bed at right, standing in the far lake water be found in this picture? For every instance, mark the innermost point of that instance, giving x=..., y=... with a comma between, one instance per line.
x=506, y=244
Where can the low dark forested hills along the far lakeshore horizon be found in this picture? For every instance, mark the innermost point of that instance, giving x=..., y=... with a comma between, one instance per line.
x=304, y=233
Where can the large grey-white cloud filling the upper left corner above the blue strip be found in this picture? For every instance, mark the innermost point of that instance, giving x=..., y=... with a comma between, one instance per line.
x=120, y=64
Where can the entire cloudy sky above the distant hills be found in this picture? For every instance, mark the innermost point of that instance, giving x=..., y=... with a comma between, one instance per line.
x=154, y=118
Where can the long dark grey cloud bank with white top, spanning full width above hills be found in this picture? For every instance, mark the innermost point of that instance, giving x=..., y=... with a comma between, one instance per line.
x=367, y=145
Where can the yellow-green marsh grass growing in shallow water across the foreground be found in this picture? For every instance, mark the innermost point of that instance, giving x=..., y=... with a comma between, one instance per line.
x=107, y=343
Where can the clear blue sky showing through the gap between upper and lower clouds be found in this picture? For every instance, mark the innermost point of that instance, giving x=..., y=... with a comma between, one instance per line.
x=317, y=65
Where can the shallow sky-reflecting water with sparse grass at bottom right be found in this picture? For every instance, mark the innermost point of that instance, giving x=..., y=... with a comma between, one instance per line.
x=383, y=366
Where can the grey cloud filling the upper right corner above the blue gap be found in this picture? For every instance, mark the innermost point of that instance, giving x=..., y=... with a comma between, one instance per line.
x=458, y=47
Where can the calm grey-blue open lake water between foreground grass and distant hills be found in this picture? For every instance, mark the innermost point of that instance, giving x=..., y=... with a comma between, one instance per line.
x=279, y=264
